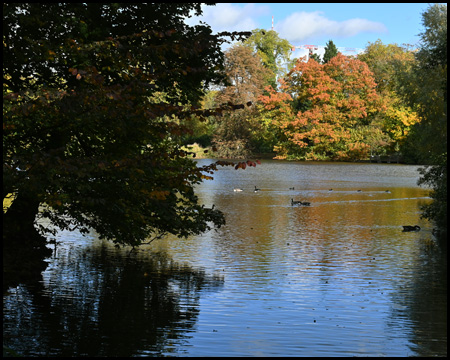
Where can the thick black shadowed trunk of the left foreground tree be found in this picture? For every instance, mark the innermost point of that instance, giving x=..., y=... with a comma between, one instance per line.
x=24, y=248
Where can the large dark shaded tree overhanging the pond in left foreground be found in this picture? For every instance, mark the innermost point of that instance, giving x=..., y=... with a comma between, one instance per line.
x=91, y=97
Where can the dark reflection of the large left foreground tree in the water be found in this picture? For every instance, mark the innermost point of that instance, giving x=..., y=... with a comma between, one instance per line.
x=105, y=302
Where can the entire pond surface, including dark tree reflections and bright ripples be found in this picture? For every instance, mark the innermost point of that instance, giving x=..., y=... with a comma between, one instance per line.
x=336, y=278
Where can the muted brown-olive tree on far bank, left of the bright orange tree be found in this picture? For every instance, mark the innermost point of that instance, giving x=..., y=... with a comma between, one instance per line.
x=247, y=77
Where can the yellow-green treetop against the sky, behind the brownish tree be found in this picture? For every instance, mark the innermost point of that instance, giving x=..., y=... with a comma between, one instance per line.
x=273, y=51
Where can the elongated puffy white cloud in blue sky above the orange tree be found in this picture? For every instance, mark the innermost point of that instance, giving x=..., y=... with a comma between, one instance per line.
x=301, y=26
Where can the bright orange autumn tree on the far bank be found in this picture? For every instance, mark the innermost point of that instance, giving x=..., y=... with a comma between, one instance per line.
x=334, y=105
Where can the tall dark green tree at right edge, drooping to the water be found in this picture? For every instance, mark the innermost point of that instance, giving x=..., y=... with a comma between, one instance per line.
x=426, y=88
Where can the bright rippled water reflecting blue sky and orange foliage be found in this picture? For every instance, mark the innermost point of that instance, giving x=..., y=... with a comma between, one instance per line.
x=321, y=280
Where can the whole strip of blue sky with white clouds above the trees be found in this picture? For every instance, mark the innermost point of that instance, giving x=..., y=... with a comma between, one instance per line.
x=349, y=25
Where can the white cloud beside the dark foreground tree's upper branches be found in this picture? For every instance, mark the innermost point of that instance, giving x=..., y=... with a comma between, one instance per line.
x=230, y=17
